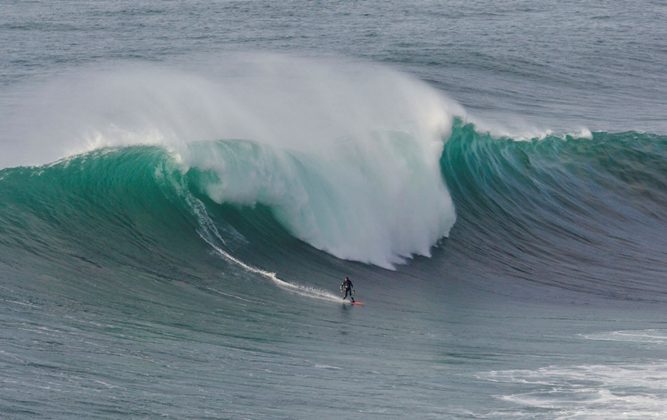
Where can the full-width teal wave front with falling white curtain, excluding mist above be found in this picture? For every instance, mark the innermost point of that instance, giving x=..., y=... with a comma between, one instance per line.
x=585, y=214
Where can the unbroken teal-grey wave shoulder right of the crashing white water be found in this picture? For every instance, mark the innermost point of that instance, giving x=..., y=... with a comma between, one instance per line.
x=586, y=213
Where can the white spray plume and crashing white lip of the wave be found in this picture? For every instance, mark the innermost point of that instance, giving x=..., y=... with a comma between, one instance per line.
x=345, y=154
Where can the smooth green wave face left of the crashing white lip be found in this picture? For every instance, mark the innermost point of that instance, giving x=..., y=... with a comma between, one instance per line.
x=108, y=208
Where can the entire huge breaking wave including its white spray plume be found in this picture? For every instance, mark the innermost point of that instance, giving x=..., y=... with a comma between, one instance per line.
x=355, y=160
